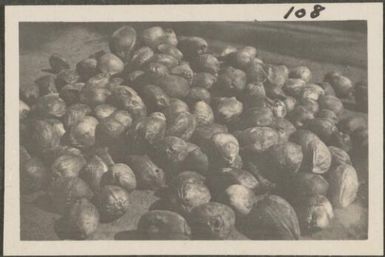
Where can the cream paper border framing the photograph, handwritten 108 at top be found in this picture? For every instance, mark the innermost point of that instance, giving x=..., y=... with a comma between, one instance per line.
x=371, y=12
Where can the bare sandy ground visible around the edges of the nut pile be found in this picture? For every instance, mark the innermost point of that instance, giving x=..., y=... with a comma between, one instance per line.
x=320, y=48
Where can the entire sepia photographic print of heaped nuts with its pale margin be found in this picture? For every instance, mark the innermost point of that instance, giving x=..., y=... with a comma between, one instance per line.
x=200, y=130
